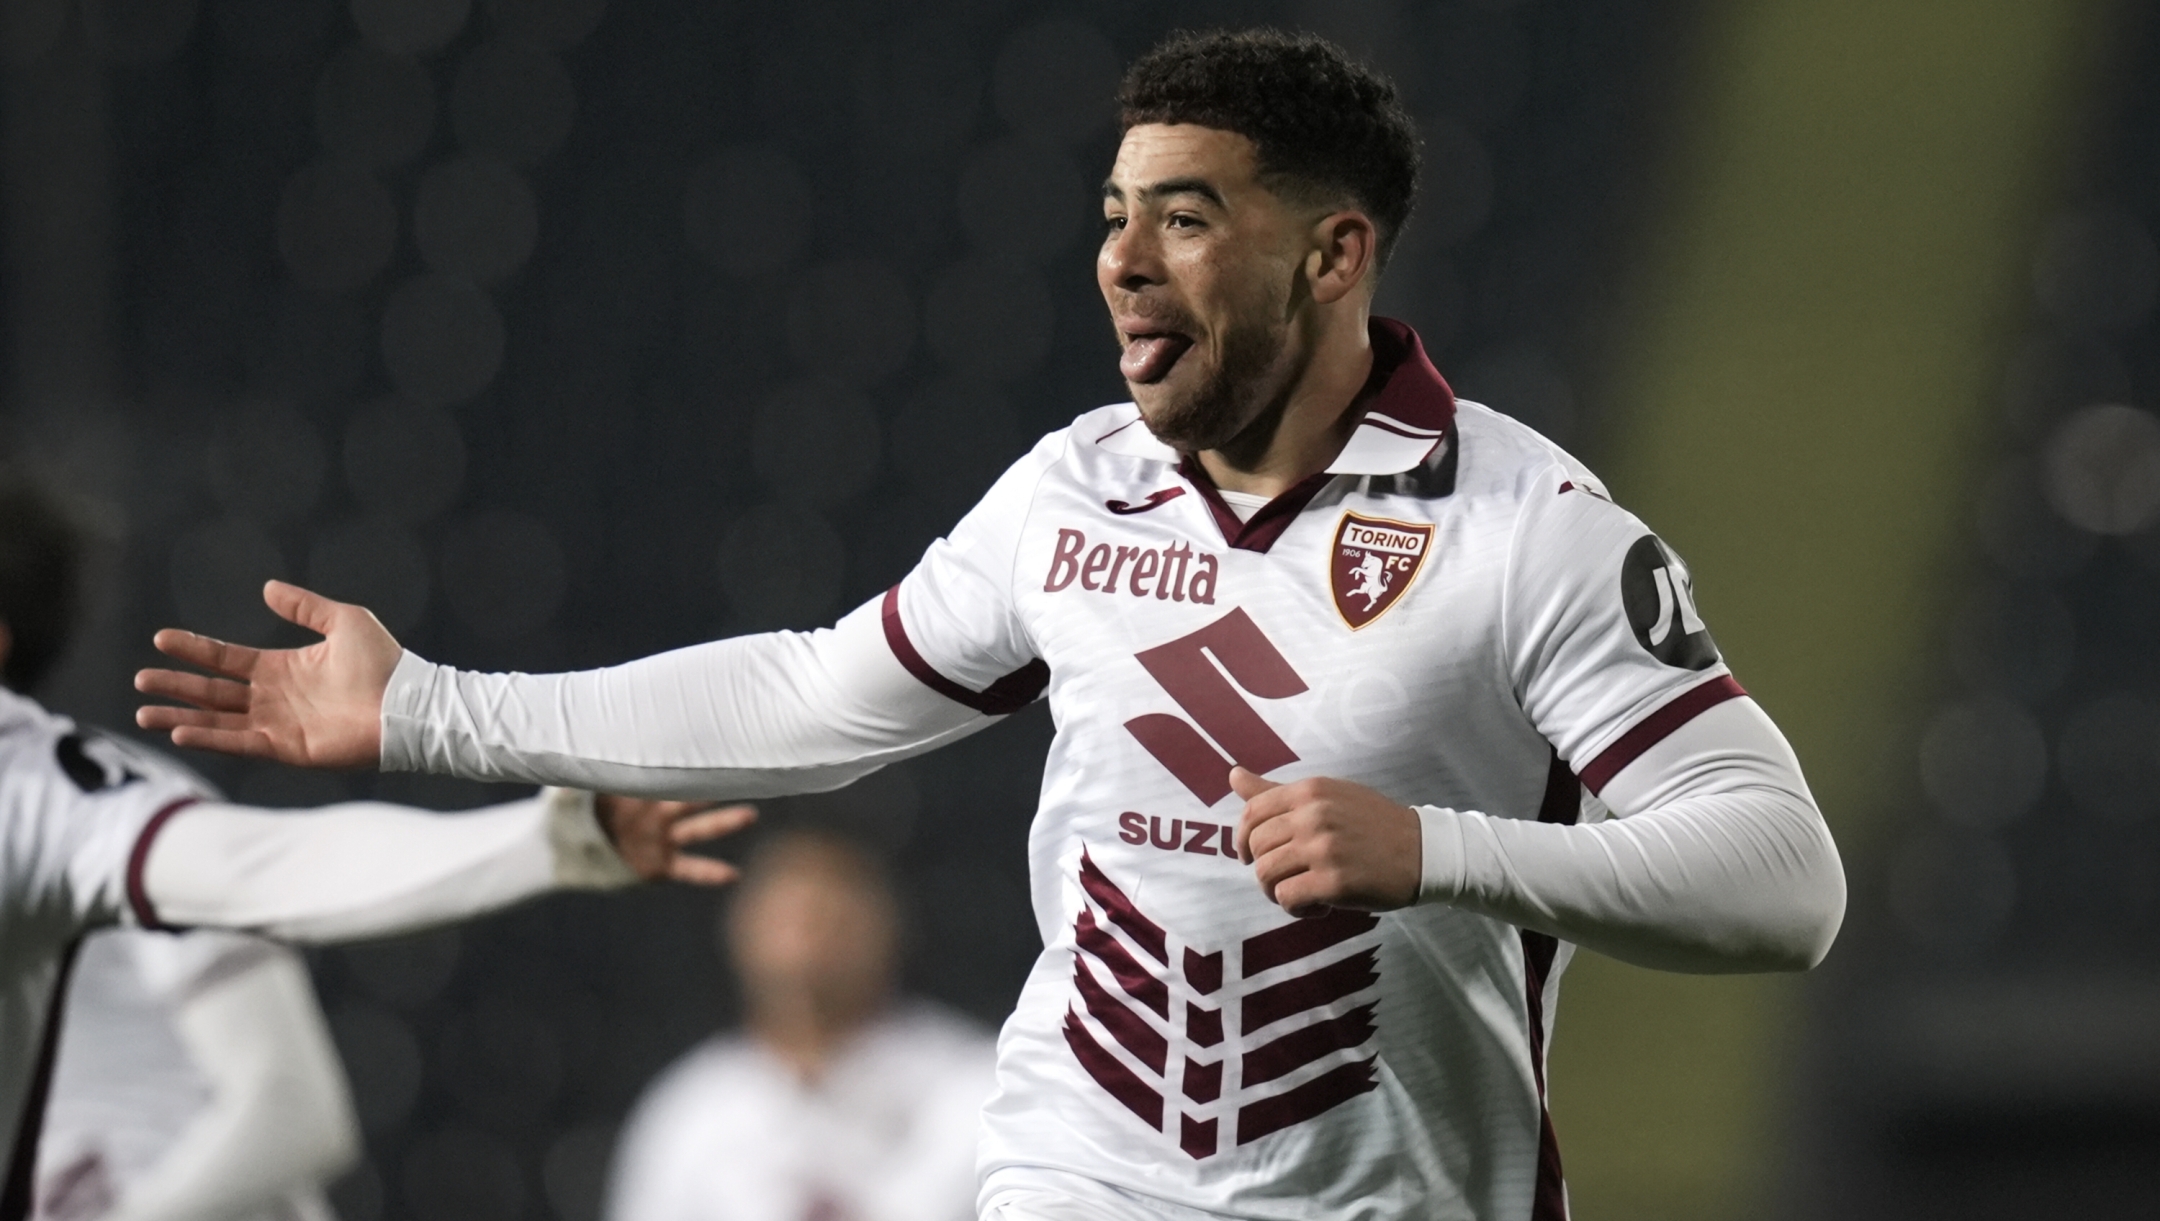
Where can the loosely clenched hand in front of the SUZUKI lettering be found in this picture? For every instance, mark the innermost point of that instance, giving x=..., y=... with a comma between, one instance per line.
x=1327, y=844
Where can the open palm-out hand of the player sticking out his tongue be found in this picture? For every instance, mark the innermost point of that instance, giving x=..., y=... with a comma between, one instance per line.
x=312, y=708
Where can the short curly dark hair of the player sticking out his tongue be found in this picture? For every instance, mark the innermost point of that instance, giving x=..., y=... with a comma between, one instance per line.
x=1325, y=126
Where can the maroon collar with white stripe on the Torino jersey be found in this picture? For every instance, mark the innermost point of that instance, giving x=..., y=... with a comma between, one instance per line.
x=1407, y=414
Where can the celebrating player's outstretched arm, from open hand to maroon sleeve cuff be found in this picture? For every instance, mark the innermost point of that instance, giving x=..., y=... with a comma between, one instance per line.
x=738, y=719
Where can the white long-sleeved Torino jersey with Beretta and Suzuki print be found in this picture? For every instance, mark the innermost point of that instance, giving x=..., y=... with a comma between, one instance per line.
x=1453, y=615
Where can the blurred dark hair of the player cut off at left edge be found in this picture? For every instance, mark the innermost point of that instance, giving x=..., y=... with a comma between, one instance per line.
x=40, y=582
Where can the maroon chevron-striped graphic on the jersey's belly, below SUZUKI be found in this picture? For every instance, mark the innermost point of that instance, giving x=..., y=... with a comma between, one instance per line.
x=1247, y=1034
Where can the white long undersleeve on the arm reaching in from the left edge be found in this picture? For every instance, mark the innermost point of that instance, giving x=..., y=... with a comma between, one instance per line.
x=366, y=870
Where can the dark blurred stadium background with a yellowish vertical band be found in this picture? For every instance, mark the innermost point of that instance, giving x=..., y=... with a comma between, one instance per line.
x=565, y=332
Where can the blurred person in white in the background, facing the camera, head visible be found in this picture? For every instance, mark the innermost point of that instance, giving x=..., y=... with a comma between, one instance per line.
x=837, y=1103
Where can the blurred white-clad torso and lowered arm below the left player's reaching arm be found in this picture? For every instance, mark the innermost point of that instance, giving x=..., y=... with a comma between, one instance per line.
x=195, y=1082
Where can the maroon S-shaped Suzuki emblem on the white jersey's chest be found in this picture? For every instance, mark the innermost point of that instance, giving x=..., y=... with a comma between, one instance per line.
x=1204, y=673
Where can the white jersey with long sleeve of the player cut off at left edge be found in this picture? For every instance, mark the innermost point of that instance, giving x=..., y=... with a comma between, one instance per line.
x=96, y=833
